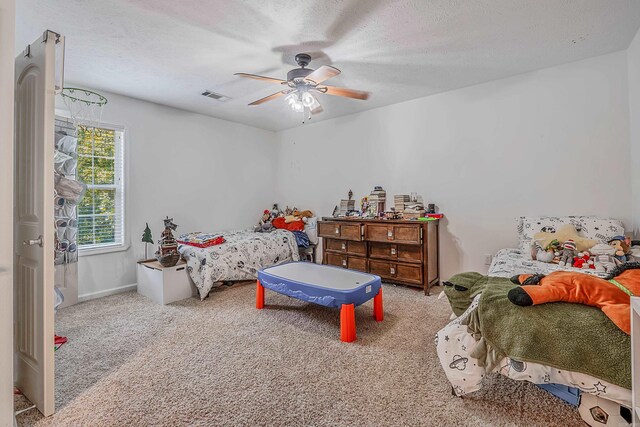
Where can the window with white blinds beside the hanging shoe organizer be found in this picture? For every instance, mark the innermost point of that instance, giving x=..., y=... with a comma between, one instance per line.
x=100, y=166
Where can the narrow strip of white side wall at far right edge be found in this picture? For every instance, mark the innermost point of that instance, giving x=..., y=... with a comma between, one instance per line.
x=634, y=116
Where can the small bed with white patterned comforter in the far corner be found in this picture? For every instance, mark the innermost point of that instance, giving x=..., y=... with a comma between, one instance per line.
x=239, y=258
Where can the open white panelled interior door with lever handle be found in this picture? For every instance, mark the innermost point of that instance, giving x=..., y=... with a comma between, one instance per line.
x=34, y=230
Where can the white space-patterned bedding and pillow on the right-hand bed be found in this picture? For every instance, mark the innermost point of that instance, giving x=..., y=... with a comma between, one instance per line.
x=456, y=341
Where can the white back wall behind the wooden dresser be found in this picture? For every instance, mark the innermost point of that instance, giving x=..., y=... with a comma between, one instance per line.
x=554, y=141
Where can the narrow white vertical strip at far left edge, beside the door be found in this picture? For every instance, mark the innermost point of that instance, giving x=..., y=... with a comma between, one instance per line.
x=7, y=29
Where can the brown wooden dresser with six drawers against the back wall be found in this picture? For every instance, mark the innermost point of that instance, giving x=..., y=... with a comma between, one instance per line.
x=399, y=251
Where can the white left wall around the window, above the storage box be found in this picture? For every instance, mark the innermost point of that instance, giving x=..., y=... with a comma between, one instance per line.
x=207, y=174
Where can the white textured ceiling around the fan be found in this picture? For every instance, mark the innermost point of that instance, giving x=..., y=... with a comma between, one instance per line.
x=169, y=51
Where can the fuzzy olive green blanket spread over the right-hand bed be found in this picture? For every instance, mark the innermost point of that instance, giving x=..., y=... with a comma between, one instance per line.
x=571, y=337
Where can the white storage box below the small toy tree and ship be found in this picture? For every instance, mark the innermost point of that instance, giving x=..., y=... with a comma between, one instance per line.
x=164, y=285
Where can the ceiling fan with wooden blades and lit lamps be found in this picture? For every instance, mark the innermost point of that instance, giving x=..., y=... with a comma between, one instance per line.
x=303, y=84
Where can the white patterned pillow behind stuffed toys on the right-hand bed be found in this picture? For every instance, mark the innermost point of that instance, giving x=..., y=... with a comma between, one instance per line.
x=589, y=227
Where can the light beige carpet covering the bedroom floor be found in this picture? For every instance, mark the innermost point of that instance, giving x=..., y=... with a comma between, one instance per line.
x=220, y=362
